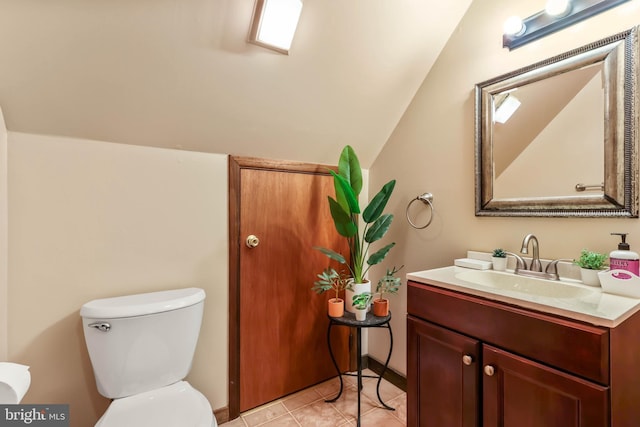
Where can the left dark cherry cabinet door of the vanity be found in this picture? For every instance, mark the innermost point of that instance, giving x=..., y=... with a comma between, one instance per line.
x=442, y=384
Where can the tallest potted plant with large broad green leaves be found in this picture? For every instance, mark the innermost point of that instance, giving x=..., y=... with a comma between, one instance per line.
x=348, y=217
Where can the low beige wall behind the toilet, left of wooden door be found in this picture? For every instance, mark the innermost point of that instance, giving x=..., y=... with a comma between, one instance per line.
x=92, y=219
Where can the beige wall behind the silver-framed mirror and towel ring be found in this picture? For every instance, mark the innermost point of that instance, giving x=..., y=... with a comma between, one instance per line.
x=432, y=149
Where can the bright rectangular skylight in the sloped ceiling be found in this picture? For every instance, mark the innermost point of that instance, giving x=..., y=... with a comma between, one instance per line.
x=274, y=23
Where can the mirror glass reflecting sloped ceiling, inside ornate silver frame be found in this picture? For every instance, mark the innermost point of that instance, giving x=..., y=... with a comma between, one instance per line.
x=543, y=124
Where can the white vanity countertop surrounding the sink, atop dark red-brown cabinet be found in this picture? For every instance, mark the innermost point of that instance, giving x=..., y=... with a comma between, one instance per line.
x=597, y=307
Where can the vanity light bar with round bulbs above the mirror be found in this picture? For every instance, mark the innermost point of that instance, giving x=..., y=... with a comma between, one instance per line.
x=557, y=15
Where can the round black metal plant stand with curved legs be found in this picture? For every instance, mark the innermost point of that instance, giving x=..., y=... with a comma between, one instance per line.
x=370, y=321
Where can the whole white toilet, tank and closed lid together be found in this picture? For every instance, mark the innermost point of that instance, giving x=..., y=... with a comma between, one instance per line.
x=141, y=348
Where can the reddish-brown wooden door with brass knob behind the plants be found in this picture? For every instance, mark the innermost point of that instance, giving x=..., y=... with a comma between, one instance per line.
x=280, y=338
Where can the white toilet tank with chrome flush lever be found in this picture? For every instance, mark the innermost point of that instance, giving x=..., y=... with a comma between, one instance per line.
x=141, y=342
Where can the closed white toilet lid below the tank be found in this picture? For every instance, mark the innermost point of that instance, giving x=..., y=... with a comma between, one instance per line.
x=176, y=405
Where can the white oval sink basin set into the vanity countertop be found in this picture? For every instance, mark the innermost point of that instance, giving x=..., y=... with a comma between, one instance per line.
x=527, y=285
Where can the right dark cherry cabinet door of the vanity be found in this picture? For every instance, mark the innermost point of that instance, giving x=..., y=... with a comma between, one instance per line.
x=518, y=392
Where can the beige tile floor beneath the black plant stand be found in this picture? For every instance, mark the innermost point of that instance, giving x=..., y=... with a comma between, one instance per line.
x=308, y=408
